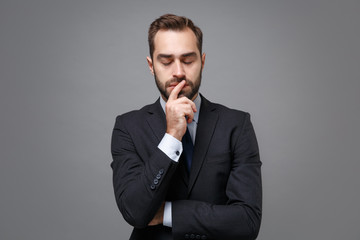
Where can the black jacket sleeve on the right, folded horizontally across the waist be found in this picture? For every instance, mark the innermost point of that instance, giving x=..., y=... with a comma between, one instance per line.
x=240, y=217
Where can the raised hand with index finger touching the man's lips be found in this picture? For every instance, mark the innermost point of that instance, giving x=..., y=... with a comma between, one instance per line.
x=179, y=112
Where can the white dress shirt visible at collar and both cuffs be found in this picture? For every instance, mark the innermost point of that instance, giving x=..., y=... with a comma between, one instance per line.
x=173, y=149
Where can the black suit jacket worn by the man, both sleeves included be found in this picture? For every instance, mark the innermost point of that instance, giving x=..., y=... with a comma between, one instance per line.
x=219, y=199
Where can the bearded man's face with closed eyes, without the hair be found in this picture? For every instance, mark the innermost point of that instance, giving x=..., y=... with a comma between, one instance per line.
x=175, y=58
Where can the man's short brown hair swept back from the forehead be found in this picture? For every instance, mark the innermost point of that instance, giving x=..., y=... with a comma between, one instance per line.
x=172, y=22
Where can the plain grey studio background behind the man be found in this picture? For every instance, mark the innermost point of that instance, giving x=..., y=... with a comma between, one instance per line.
x=67, y=68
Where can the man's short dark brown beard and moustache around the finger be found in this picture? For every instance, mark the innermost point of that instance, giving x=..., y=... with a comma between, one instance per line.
x=194, y=86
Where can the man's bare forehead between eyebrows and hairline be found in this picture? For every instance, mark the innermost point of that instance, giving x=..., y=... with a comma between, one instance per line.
x=175, y=42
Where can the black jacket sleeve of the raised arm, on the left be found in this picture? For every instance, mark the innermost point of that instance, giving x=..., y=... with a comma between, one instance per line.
x=141, y=180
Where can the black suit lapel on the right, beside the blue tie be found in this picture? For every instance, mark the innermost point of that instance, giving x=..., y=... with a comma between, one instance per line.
x=205, y=129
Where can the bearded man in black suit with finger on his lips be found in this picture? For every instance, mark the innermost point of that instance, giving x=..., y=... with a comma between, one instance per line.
x=184, y=167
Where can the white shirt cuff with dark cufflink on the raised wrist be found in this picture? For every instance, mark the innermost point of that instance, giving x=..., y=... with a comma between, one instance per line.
x=171, y=147
